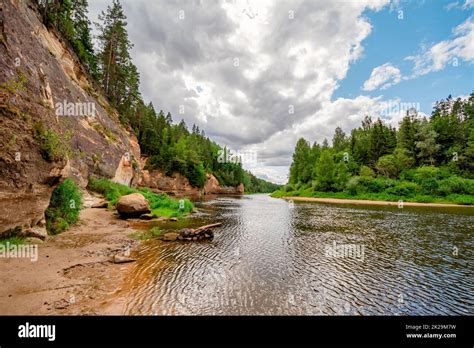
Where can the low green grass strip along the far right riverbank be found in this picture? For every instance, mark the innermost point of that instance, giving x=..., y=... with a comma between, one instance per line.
x=453, y=198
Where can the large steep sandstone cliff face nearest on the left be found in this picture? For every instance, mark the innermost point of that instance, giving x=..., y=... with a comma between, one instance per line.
x=44, y=75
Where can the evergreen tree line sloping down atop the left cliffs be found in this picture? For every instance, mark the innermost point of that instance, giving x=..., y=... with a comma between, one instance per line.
x=171, y=147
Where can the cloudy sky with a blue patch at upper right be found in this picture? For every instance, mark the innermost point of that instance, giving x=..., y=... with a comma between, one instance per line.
x=258, y=75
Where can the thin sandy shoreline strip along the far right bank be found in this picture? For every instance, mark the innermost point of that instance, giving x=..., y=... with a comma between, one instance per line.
x=372, y=202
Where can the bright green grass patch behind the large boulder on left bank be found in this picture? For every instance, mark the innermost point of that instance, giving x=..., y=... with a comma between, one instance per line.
x=160, y=203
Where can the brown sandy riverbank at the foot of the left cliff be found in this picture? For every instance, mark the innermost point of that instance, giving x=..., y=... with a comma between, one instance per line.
x=73, y=274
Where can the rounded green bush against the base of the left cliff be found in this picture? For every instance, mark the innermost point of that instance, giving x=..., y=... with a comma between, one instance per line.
x=64, y=207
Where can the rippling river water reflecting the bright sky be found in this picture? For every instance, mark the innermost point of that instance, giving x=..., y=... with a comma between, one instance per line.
x=274, y=257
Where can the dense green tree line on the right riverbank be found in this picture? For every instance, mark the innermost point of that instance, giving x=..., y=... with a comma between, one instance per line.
x=431, y=156
